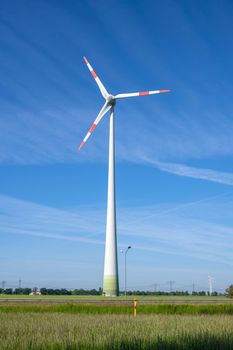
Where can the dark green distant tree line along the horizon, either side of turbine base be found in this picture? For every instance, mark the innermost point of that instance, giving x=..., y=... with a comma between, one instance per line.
x=63, y=291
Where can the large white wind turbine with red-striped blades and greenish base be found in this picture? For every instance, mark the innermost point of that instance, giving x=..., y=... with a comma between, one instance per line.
x=111, y=282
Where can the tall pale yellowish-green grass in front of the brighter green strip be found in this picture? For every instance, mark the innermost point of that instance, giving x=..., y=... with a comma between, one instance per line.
x=59, y=331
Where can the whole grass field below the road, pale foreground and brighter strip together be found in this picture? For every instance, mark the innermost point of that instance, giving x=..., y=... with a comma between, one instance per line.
x=99, y=326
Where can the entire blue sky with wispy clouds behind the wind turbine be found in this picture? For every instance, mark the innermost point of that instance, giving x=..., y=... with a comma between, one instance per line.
x=174, y=151
